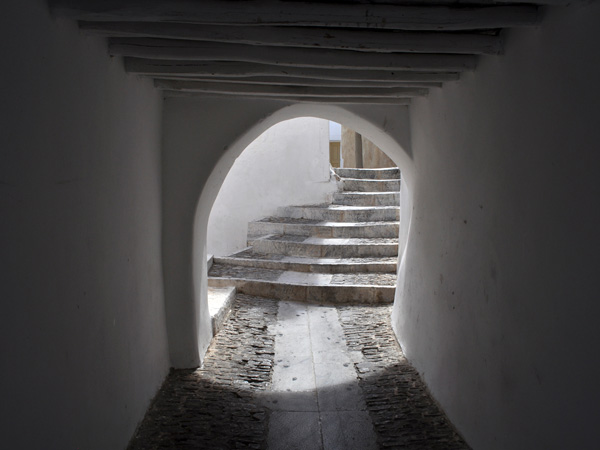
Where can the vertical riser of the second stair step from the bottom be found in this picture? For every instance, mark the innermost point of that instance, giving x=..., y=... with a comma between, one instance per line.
x=313, y=268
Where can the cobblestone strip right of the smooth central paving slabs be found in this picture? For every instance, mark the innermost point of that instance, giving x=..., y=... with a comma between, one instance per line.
x=403, y=413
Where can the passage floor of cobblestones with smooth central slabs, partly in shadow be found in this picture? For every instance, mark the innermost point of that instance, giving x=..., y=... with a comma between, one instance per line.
x=285, y=375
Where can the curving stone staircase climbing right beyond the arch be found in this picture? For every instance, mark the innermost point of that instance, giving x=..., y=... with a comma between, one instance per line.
x=345, y=252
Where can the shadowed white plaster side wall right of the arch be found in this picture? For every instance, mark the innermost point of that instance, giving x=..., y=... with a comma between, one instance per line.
x=497, y=305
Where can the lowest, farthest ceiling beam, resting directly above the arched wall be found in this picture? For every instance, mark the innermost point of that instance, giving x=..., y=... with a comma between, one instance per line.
x=292, y=99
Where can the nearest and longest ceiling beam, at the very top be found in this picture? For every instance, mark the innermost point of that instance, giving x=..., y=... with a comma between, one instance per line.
x=304, y=13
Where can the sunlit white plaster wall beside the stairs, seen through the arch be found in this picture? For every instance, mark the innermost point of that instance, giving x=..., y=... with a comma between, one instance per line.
x=286, y=165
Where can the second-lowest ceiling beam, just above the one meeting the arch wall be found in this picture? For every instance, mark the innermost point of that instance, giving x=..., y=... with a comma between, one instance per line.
x=296, y=91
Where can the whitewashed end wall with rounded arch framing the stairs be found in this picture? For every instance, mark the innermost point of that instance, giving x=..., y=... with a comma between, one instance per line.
x=198, y=150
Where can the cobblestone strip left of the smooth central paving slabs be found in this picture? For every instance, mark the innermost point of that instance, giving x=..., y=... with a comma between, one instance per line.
x=215, y=407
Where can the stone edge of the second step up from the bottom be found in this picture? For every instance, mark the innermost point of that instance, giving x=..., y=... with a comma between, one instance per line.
x=312, y=265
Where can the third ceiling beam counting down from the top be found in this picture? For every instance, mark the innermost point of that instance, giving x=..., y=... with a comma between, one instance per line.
x=173, y=49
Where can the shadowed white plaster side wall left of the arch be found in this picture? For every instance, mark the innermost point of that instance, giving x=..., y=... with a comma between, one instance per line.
x=82, y=328
